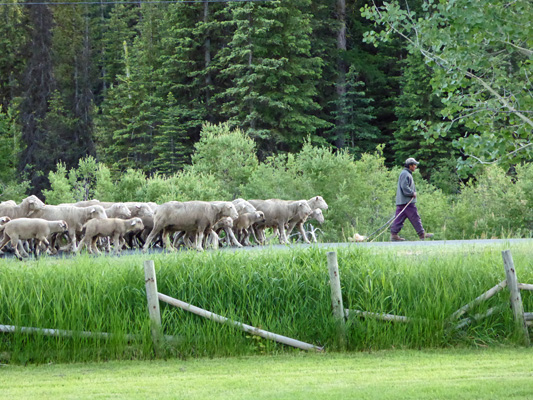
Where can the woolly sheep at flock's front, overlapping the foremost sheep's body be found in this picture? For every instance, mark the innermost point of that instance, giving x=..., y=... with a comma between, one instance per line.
x=279, y=212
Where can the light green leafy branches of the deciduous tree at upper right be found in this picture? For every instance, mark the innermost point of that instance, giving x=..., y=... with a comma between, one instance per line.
x=479, y=53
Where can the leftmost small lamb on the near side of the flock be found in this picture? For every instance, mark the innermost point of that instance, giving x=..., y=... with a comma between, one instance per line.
x=30, y=228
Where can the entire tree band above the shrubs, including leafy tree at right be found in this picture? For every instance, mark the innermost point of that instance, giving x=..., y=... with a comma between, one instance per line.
x=133, y=83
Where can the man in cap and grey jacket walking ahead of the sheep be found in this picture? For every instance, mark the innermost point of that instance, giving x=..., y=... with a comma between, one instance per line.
x=406, y=203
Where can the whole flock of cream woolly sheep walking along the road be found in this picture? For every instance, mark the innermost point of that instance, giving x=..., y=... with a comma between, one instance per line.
x=35, y=226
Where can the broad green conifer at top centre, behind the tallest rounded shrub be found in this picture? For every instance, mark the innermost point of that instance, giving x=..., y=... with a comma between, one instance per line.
x=271, y=73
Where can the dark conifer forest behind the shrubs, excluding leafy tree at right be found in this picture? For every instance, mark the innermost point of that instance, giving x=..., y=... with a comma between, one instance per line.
x=132, y=85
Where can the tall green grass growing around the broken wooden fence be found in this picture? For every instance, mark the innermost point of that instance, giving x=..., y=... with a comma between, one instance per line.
x=286, y=292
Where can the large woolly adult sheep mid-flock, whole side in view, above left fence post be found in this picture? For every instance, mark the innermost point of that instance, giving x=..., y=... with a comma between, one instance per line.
x=190, y=216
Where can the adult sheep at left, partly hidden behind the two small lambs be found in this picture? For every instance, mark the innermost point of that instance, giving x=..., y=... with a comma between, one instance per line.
x=75, y=217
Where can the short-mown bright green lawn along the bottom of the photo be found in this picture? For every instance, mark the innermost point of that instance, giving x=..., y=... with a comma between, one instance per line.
x=505, y=373
